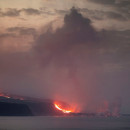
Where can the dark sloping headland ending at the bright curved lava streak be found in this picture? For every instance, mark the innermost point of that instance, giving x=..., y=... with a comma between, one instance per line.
x=13, y=105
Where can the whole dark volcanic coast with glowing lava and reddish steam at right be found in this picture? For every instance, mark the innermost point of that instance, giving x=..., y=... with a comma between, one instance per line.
x=14, y=105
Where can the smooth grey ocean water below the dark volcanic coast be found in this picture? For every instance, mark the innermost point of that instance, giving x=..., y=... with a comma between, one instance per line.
x=63, y=123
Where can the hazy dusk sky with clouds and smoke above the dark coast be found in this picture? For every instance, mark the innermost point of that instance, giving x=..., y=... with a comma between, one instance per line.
x=77, y=51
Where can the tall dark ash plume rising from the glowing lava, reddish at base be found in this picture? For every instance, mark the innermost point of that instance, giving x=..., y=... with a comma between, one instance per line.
x=69, y=55
